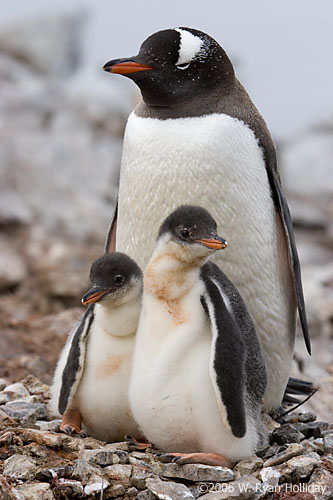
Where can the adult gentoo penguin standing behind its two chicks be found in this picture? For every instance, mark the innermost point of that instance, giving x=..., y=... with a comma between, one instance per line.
x=196, y=137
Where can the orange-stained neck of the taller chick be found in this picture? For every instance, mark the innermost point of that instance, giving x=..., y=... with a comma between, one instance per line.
x=172, y=271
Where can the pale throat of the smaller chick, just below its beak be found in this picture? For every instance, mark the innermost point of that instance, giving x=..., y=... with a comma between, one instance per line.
x=119, y=320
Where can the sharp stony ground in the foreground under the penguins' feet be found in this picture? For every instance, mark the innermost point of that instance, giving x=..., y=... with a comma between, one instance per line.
x=39, y=462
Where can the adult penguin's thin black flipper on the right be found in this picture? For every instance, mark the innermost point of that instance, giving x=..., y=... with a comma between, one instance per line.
x=283, y=209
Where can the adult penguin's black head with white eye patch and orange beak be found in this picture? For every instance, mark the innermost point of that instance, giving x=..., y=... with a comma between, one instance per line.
x=174, y=66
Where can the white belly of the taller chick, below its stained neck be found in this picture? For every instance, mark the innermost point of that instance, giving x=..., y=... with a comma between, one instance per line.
x=171, y=393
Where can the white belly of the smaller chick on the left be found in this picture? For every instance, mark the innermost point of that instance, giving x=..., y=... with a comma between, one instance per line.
x=102, y=396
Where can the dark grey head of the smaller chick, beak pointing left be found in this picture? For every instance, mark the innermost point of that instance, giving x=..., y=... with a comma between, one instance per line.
x=115, y=279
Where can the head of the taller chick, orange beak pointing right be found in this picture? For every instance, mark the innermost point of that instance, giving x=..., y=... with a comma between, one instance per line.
x=190, y=232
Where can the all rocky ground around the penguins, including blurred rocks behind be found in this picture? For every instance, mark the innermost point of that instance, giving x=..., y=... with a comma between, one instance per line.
x=61, y=134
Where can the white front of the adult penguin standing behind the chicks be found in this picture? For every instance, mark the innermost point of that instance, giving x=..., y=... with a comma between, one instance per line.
x=214, y=161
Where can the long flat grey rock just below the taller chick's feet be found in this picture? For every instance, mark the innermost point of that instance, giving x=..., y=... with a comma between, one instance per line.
x=194, y=472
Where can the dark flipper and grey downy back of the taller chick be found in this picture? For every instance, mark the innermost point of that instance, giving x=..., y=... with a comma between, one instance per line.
x=237, y=367
